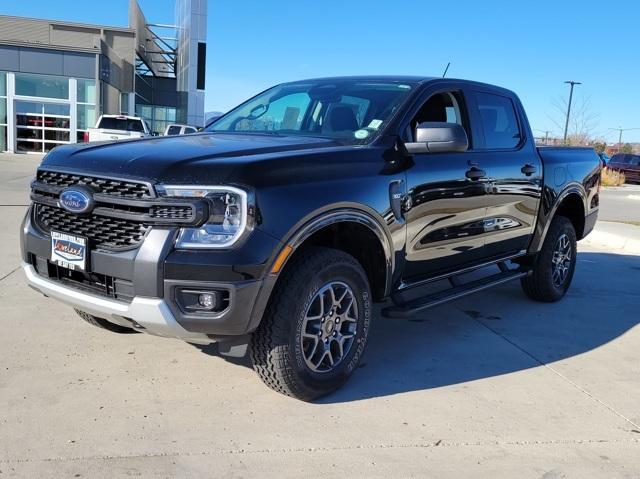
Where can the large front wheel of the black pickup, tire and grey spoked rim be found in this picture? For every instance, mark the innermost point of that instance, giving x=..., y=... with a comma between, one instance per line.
x=315, y=328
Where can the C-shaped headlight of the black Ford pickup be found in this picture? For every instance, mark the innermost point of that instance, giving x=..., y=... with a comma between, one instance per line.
x=227, y=219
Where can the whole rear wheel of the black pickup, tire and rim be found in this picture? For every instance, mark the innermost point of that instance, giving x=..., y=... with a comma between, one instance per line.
x=554, y=265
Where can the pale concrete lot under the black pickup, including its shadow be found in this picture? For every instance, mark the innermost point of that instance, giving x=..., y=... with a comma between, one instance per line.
x=490, y=386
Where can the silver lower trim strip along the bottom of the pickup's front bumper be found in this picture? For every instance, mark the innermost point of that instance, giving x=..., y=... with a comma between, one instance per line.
x=153, y=314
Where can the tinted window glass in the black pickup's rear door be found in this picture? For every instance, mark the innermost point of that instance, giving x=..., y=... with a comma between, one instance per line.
x=499, y=121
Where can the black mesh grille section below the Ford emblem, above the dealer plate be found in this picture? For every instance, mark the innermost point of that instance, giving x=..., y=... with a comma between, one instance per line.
x=102, y=231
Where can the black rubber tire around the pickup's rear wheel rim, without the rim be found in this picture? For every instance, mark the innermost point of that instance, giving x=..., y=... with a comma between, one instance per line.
x=540, y=286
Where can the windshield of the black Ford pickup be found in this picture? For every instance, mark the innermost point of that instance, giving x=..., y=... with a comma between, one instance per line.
x=351, y=111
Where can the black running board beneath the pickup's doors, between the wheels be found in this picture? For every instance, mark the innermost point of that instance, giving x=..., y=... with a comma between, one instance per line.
x=457, y=291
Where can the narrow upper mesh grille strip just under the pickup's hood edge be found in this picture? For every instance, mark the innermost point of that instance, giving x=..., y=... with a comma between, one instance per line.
x=119, y=188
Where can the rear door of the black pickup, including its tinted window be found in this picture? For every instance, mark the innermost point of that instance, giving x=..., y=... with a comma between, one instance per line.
x=513, y=168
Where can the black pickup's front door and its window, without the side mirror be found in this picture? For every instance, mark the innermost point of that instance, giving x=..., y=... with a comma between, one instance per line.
x=446, y=205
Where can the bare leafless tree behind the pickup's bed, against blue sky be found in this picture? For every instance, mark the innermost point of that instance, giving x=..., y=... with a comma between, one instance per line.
x=582, y=123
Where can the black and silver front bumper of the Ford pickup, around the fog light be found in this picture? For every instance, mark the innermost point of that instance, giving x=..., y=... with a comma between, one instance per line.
x=146, y=282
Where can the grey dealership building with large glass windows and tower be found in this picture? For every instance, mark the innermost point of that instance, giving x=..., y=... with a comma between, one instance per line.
x=57, y=78
